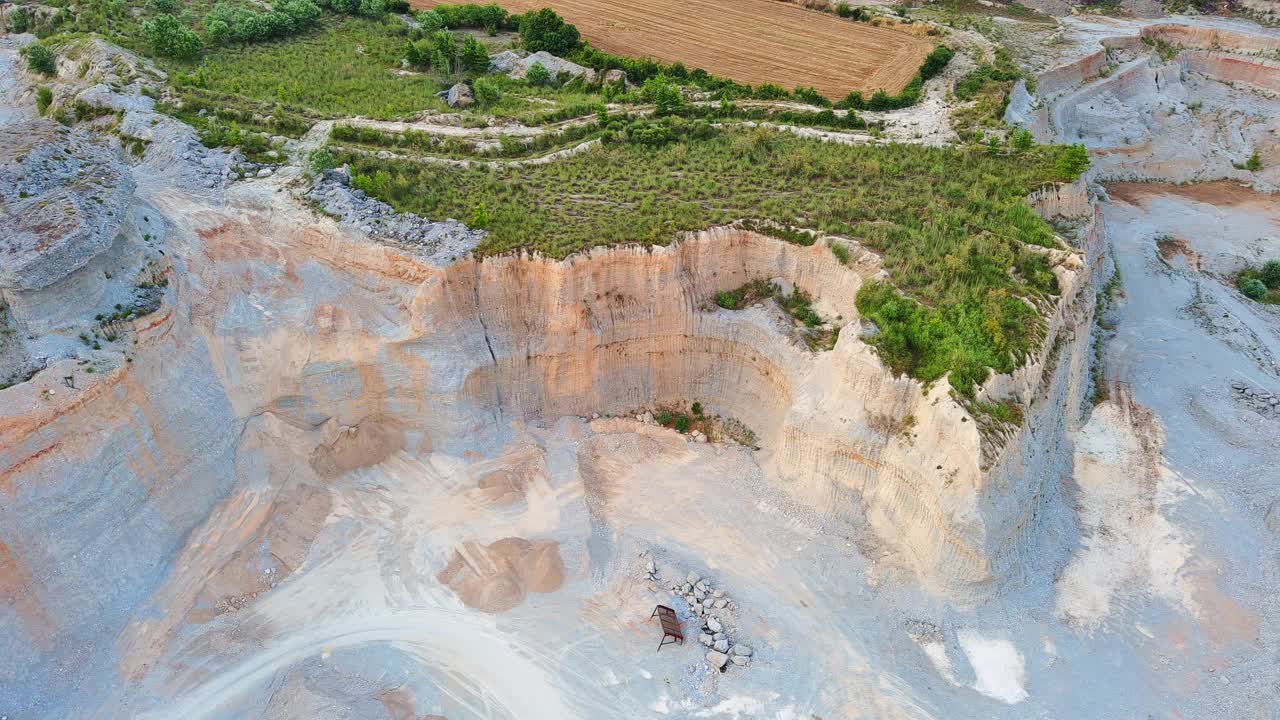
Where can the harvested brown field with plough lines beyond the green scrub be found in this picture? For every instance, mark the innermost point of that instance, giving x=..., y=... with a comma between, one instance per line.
x=753, y=42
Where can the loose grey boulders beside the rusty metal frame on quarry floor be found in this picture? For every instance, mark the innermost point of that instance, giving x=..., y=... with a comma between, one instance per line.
x=712, y=607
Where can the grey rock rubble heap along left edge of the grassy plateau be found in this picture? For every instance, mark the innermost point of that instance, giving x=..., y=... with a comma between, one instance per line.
x=332, y=192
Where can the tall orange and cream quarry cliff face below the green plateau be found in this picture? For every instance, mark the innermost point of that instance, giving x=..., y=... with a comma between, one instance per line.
x=287, y=353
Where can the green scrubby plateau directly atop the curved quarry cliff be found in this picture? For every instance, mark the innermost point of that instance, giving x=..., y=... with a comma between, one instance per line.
x=953, y=225
